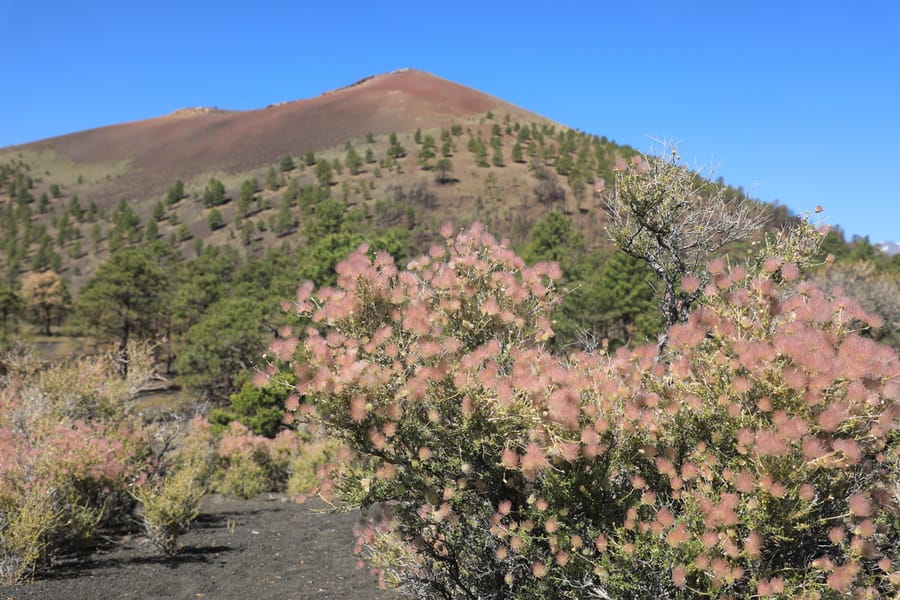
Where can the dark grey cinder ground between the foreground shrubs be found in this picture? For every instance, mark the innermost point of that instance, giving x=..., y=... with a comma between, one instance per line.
x=266, y=548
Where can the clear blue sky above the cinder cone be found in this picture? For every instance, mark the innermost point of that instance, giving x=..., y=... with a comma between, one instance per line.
x=796, y=101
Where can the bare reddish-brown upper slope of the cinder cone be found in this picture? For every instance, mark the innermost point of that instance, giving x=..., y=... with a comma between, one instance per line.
x=189, y=143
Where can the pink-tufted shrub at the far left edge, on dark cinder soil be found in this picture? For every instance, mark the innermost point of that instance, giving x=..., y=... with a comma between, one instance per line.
x=68, y=456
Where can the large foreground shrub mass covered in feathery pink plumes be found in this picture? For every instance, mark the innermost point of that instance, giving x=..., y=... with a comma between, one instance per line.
x=757, y=457
